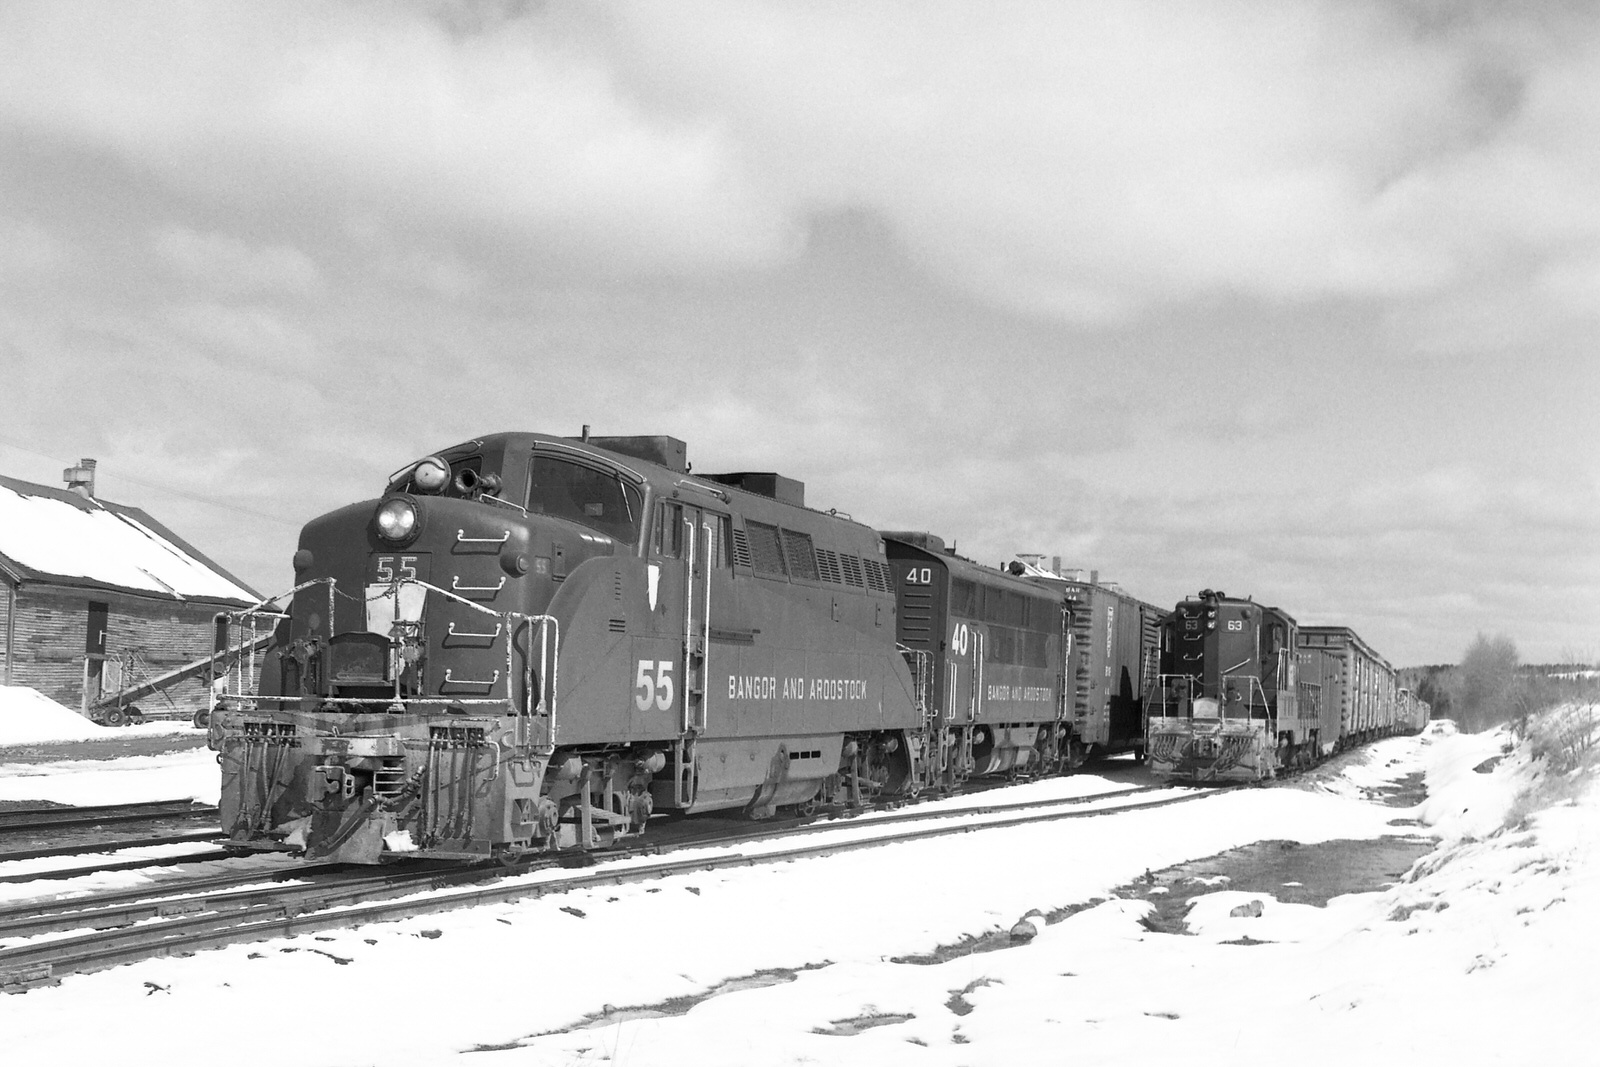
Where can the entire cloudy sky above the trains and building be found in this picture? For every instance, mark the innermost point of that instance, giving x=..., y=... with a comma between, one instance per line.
x=1286, y=298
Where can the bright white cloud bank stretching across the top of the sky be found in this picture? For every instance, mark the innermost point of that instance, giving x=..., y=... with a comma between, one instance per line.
x=1079, y=162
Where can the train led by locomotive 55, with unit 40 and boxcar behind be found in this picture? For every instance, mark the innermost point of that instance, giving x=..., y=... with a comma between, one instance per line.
x=532, y=642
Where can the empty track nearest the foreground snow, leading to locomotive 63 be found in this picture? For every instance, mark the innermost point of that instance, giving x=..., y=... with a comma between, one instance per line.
x=175, y=919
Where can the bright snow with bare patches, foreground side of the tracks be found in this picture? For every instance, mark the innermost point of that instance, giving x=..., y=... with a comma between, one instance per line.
x=1482, y=954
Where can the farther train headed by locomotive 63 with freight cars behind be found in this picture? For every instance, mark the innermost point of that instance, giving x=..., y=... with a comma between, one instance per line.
x=1246, y=692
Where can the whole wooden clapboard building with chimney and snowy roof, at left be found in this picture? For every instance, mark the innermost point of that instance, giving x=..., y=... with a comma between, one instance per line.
x=97, y=597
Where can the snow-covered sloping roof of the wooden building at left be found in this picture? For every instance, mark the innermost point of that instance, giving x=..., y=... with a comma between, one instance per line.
x=50, y=535
